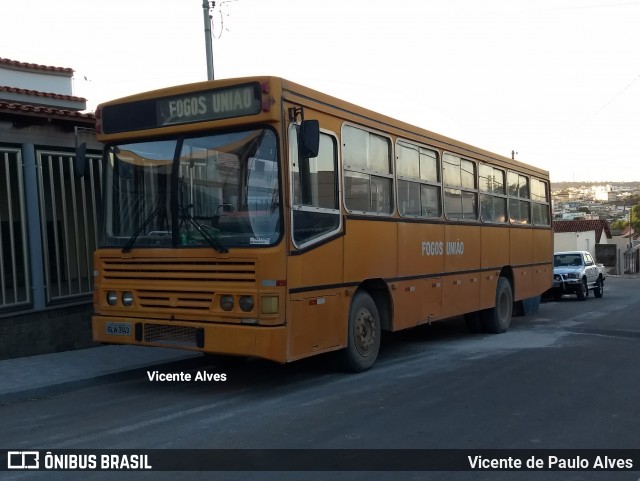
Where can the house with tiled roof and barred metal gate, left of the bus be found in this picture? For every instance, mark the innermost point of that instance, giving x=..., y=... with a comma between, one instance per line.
x=47, y=214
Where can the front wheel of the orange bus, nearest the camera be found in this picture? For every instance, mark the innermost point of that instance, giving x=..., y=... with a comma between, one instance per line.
x=363, y=335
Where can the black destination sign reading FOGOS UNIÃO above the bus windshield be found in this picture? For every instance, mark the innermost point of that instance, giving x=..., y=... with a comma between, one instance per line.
x=201, y=106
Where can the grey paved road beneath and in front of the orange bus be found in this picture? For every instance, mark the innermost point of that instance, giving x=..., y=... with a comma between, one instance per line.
x=567, y=377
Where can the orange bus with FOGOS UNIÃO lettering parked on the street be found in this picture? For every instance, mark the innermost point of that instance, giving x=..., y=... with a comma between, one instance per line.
x=257, y=217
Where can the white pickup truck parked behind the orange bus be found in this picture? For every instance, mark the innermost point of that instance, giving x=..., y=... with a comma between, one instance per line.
x=575, y=272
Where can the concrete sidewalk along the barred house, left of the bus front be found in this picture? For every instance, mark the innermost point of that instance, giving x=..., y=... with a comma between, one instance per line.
x=31, y=376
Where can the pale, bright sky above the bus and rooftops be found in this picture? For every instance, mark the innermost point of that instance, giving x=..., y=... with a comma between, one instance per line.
x=558, y=81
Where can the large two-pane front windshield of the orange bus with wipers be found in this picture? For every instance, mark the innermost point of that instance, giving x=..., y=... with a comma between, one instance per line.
x=218, y=190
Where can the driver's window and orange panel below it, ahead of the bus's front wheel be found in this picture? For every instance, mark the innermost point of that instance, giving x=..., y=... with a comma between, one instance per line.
x=315, y=274
